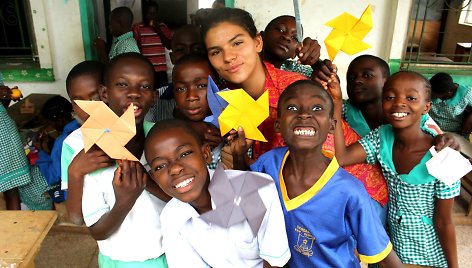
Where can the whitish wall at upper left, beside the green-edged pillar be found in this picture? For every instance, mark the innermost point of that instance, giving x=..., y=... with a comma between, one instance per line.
x=62, y=42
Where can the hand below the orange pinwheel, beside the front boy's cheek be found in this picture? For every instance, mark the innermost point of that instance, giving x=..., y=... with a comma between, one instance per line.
x=129, y=182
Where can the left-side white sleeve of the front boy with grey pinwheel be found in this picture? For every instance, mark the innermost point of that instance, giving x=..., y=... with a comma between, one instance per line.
x=179, y=253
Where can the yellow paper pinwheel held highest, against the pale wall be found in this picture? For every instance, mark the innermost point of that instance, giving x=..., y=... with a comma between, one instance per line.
x=348, y=32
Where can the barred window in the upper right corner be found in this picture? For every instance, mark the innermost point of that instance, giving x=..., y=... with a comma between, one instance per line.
x=440, y=33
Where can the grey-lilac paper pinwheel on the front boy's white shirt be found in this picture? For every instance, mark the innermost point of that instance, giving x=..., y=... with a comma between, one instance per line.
x=236, y=199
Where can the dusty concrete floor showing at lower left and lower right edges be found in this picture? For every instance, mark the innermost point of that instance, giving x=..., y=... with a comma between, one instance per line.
x=67, y=245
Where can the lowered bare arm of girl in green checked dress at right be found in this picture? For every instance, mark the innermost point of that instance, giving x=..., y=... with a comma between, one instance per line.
x=446, y=231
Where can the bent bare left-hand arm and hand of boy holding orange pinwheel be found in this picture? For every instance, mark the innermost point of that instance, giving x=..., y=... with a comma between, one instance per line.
x=82, y=164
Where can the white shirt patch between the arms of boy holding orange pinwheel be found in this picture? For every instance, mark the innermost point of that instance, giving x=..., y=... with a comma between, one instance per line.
x=93, y=201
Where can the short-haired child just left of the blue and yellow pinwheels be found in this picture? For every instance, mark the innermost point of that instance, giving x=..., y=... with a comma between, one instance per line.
x=190, y=85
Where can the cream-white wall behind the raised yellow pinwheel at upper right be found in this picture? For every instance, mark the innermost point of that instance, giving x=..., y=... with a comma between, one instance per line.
x=314, y=13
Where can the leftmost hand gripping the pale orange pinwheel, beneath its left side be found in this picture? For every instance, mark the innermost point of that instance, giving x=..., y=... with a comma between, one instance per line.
x=87, y=162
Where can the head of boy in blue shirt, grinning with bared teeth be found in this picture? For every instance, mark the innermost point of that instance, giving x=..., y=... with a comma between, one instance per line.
x=305, y=115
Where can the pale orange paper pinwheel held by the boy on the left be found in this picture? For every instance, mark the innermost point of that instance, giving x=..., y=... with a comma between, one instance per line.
x=110, y=132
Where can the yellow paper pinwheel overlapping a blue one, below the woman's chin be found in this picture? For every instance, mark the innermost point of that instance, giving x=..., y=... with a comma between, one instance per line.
x=244, y=111
